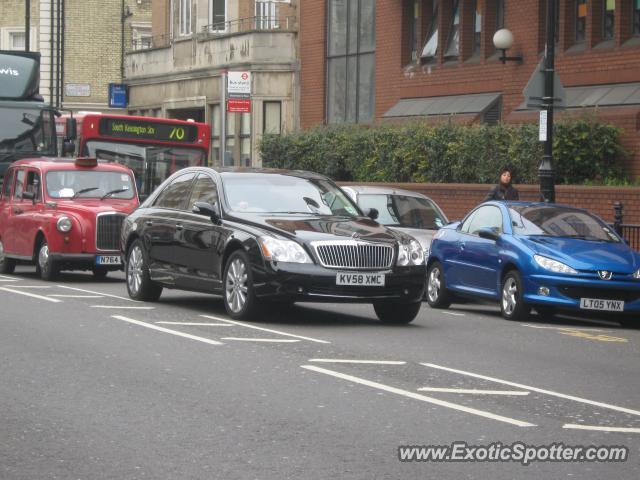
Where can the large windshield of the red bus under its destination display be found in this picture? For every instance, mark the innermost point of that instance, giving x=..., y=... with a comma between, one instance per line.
x=151, y=164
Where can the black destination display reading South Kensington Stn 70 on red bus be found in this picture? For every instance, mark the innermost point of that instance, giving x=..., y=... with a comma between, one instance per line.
x=142, y=130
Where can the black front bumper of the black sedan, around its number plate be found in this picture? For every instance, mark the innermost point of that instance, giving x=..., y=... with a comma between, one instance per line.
x=313, y=283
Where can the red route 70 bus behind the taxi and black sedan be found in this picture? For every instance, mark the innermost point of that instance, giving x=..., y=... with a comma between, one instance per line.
x=153, y=148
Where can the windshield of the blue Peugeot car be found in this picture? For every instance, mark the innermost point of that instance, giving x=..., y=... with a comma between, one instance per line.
x=556, y=221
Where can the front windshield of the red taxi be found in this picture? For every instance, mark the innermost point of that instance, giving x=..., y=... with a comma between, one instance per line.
x=89, y=184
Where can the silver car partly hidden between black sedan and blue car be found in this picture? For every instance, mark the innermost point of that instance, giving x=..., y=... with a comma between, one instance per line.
x=404, y=210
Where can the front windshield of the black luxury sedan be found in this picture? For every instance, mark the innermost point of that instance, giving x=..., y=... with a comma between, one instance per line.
x=282, y=193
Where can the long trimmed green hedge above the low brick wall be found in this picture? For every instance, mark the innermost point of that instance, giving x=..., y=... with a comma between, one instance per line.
x=584, y=150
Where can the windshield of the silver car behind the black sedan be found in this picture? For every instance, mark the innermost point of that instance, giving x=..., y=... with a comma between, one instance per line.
x=403, y=210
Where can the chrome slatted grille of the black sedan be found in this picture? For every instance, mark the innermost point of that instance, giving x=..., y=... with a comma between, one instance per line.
x=354, y=255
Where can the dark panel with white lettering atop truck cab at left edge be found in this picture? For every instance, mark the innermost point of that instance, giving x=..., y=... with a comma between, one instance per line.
x=19, y=75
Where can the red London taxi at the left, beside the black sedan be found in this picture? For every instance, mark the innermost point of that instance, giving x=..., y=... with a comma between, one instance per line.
x=64, y=214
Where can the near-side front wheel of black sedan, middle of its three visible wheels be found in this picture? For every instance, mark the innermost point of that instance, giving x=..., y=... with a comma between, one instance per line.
x=239, y=296
